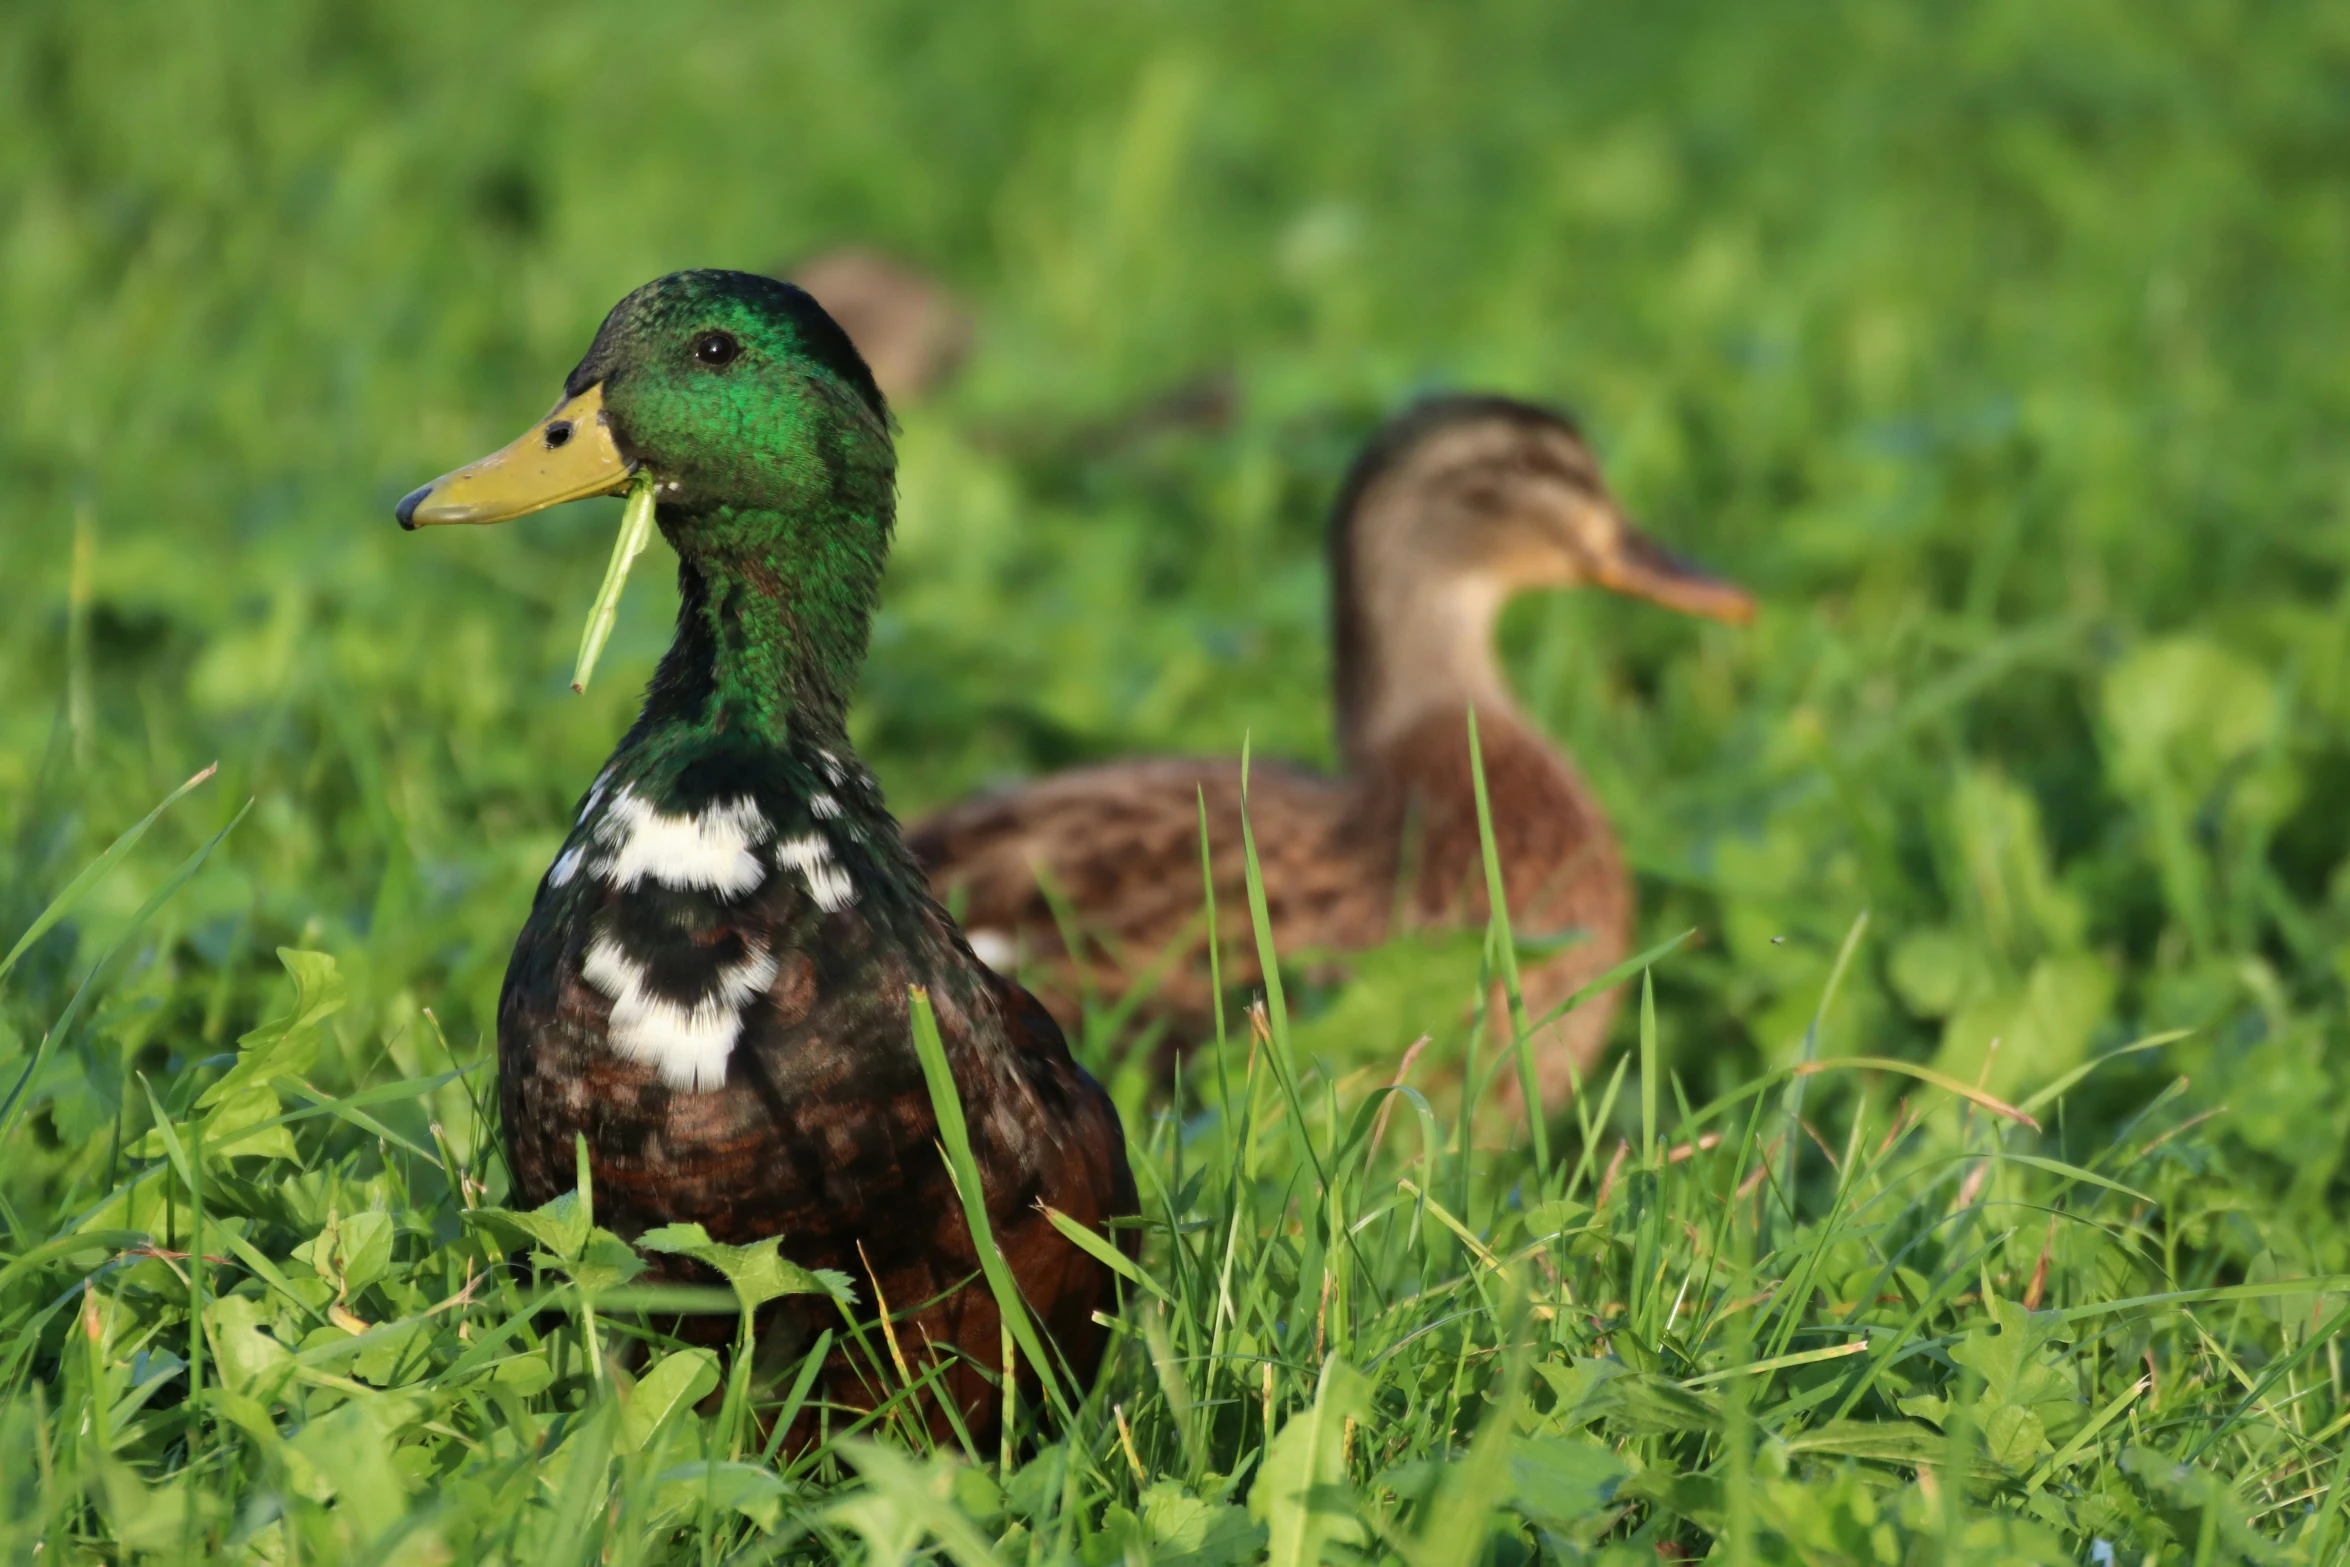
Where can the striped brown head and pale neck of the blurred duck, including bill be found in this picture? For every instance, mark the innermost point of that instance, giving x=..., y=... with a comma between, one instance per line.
x=1451, y=511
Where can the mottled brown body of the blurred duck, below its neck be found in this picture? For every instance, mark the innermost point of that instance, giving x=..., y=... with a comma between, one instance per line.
x=1348, y=863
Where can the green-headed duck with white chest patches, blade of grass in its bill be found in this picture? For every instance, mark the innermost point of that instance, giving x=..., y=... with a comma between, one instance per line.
x=713, y=983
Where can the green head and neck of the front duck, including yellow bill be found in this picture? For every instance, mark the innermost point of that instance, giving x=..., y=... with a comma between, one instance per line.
x=770, y=455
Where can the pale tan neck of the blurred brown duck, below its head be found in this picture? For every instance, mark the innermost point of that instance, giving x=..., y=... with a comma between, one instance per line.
x=1411, y=638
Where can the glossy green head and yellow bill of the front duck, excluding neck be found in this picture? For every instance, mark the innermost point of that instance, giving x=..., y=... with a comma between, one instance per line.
x=730, y=389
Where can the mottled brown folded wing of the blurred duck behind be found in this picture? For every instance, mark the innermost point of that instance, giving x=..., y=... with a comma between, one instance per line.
x=1117, y=849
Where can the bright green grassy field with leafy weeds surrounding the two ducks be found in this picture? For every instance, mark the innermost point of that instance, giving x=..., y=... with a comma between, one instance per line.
x=1999, y=349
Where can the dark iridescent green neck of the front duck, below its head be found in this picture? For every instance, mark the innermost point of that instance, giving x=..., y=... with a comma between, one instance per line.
x=772, y=626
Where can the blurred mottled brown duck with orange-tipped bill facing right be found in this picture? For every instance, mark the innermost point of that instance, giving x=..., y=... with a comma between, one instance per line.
x=1451, y=511
